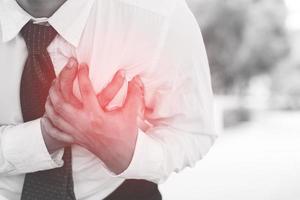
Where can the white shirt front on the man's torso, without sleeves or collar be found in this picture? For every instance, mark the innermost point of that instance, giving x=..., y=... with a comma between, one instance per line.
x=118, y=34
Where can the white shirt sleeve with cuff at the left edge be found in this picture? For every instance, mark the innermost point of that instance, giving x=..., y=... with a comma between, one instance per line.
x=22, y=150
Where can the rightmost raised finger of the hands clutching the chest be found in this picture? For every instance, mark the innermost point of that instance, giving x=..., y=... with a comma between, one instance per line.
x=134, y=102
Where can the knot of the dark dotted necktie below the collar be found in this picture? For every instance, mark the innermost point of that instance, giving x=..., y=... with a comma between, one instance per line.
x=37, y=37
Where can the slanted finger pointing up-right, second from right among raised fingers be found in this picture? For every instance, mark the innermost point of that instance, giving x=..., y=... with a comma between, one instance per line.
x=111, y=90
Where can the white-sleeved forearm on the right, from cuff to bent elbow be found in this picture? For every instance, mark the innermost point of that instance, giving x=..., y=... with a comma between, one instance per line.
x=162, y=151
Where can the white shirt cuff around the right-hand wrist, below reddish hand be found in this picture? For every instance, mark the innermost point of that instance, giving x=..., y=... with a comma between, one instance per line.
x=147, y=159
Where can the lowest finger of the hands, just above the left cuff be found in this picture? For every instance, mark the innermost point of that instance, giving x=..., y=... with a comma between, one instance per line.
x=55, y=133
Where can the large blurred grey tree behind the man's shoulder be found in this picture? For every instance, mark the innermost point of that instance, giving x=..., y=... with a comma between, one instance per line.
x=243, y=38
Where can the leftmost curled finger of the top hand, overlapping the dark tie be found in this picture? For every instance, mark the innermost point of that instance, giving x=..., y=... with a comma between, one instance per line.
x=65, y=110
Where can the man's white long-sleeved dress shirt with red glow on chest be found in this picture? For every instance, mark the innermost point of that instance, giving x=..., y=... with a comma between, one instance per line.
x=157, y=39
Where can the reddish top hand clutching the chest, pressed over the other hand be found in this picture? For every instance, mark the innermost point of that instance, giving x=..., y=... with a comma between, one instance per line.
x=110, y=135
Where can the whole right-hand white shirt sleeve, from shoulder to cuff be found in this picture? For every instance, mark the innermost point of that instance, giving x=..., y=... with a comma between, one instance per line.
x=181, y=108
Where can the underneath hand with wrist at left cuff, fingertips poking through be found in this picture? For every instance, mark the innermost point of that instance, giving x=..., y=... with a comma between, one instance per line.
x=54, y=138
